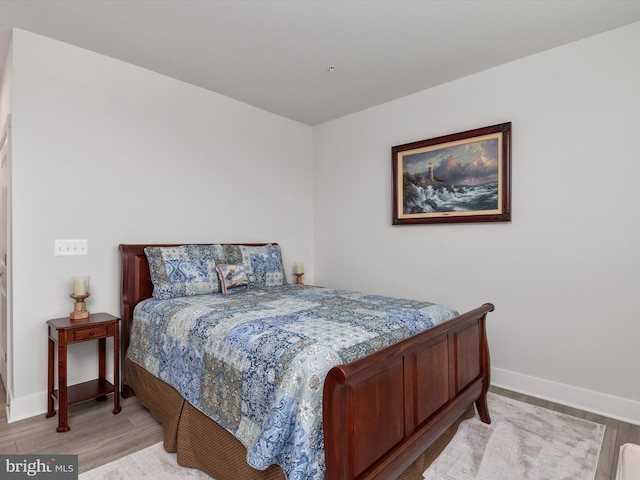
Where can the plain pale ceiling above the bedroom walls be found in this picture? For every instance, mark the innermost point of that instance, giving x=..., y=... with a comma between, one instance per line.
x=276, y=55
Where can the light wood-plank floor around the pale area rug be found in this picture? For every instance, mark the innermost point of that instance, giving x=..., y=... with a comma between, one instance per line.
x=98, y=437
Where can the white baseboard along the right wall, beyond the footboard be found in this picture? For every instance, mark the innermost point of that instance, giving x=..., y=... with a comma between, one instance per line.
x=600, y=403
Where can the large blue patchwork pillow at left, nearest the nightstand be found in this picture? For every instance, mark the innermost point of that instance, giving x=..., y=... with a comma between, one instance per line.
x=185, y=270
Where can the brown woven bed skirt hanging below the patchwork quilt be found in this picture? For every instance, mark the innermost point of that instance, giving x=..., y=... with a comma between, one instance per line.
x=203, y=444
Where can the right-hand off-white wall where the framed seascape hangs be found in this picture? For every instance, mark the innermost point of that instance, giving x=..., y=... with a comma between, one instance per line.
x=563, y=274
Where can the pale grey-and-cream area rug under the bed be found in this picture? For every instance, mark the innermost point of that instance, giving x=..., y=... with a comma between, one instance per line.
x=523, y=442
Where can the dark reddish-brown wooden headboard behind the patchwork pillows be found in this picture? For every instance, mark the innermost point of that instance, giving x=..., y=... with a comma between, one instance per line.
x=137, y=286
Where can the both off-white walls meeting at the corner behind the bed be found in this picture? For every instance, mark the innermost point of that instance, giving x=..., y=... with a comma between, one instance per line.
x=94, y=137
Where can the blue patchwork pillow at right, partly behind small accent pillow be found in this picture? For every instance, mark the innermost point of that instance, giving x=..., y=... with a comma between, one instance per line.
x=263, y=265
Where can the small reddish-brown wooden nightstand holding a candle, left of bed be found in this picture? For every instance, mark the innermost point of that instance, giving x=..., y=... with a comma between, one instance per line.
x=64, y=331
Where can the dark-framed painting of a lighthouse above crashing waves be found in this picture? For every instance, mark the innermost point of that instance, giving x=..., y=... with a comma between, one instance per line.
x=462, y=177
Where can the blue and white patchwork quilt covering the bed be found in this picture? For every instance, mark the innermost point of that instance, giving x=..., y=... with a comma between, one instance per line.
x=255, y=362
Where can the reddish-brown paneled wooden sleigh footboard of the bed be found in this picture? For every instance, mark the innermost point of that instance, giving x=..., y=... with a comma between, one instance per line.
x=382, y=411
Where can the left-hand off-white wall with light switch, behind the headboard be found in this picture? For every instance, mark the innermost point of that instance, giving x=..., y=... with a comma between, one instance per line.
x=112, y=153
